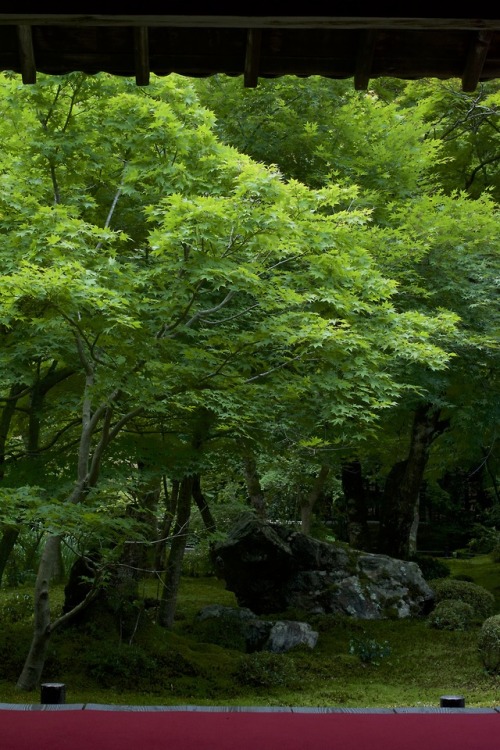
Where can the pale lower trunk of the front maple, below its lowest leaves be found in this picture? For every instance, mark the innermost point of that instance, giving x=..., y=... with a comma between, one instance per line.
x=33, y=666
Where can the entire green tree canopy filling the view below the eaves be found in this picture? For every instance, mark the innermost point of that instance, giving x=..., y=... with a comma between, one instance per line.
x=195, y=278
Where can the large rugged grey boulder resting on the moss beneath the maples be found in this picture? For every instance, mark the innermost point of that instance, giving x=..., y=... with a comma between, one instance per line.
x=272, y=569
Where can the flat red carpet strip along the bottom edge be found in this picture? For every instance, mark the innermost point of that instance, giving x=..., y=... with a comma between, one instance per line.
x=226, y=730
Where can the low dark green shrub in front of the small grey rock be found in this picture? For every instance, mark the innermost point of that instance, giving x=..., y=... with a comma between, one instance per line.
x=266, y=669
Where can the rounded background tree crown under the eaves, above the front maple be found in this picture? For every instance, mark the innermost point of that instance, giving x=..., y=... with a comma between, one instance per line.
x=318, y=130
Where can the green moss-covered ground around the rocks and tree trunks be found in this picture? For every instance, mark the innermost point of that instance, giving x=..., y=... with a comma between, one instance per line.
x=390, y=663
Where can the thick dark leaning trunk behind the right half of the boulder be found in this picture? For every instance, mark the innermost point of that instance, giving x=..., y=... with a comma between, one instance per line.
x=403, y=485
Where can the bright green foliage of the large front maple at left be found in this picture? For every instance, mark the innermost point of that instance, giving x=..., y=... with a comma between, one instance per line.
x=151, y=272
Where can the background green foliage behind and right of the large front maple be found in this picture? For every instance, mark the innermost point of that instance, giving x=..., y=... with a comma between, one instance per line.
x=422, y=155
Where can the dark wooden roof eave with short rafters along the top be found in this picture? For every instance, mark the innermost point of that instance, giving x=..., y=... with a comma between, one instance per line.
x=193, y=42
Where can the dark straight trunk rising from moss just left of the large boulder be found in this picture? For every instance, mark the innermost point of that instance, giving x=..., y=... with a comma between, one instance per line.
x=168, y=602
